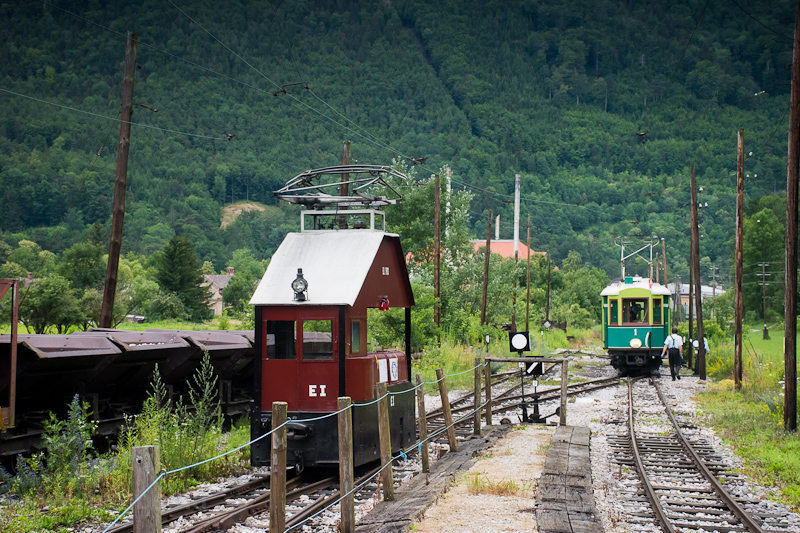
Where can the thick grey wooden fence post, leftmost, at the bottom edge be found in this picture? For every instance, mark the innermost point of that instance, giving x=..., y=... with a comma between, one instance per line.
x=147, y=511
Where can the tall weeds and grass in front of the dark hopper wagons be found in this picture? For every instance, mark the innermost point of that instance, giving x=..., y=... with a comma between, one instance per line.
x=68, y=483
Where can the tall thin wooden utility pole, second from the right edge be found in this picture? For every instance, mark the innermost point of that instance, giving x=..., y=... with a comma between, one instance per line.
x=738, y=299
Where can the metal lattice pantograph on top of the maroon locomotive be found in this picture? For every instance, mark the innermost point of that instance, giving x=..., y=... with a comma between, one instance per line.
x=302, y=190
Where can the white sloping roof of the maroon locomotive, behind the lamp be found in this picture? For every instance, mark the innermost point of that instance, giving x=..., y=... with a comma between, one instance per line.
x=335, y=265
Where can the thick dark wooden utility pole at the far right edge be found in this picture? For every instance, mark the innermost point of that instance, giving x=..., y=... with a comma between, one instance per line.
x=790, y=297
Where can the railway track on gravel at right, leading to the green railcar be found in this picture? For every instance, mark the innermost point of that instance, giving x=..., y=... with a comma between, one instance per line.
x=677, y=474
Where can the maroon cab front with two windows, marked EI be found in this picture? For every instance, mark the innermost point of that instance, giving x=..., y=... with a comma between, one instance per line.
x=300, y=363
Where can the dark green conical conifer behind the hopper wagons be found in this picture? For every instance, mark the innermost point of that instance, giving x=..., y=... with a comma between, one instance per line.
x=178, y=271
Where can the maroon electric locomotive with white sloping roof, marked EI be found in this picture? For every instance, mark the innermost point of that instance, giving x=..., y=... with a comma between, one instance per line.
x=312, y=342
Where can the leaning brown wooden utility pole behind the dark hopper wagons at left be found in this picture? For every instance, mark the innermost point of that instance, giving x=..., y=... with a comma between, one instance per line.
x=120, y=183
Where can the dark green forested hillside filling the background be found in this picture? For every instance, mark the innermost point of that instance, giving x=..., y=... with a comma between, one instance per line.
x=600, y=105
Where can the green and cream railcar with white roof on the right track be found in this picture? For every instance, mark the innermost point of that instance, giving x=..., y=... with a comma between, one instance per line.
x=635, y=323
